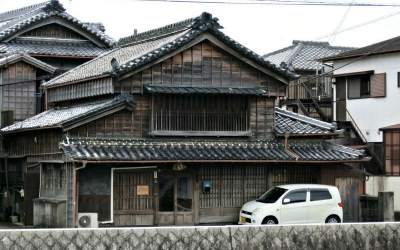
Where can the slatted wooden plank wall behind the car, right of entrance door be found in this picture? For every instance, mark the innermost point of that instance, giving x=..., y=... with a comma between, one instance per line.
x=235, y=184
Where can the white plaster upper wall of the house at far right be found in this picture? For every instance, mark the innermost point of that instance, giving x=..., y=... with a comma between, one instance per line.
x=371, y=114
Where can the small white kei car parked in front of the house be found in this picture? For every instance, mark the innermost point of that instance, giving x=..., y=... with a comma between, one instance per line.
x=294, y=204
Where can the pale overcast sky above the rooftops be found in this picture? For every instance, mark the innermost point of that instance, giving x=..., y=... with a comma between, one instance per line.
x=262, y=28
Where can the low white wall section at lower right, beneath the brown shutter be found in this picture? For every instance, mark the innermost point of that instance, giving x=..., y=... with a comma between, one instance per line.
x=377, y=184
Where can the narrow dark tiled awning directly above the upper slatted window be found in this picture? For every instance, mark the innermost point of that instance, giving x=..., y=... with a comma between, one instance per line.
x=204, y=90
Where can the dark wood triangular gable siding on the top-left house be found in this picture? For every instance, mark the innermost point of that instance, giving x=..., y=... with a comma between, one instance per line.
x=55, y=31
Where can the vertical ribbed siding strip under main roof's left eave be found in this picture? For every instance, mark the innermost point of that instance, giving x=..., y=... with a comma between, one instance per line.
x=74, y=91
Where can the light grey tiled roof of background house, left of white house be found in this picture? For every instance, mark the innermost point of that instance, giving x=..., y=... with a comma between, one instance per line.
x=302, y=54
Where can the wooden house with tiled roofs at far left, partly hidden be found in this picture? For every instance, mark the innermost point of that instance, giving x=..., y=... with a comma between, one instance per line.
x=37, y=43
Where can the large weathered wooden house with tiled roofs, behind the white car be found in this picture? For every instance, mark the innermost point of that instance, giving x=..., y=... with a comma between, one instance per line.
x=178, y=125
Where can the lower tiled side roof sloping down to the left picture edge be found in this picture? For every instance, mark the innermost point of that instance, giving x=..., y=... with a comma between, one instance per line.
x=58, y=117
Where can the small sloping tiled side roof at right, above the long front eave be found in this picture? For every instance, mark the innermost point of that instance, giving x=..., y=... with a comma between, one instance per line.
x=295, y=124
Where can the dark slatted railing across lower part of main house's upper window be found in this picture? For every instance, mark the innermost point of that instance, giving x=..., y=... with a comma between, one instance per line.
x=200, y=121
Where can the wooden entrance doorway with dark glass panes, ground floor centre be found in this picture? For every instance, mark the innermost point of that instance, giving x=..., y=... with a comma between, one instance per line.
x=176, y=199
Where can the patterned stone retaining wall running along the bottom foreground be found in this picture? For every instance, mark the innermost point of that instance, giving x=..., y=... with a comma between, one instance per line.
x=344, y=236
